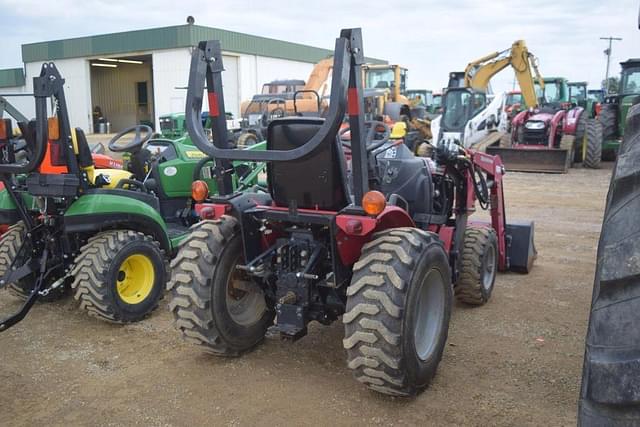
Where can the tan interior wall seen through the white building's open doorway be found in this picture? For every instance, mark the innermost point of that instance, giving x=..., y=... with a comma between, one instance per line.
x=114, y=91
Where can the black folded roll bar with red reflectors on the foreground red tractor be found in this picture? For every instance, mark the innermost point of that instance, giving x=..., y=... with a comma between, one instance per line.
x=346, y=94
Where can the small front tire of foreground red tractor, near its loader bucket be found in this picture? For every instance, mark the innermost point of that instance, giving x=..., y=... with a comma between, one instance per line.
x=479, y=264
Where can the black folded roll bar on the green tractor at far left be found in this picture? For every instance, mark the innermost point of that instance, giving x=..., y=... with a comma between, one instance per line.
x=49, y=84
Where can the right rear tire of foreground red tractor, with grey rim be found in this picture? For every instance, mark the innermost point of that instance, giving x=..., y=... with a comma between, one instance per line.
x=402, y=280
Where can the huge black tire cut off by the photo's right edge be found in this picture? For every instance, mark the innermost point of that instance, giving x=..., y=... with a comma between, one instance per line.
x=610, y=393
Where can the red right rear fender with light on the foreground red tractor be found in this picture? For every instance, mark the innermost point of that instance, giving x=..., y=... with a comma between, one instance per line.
x=356, y=230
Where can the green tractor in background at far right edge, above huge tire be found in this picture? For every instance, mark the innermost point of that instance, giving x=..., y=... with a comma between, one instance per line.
x=615, y=108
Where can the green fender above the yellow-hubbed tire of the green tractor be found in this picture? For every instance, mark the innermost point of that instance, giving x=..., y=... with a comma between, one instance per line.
x=96, y=212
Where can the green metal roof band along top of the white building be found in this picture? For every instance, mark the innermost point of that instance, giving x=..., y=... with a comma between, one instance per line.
x=170, y=38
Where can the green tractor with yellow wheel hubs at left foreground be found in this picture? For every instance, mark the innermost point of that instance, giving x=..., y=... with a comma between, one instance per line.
x=104, y=234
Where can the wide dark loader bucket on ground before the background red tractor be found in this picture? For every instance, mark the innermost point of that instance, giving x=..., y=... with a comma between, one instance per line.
x=549, y=160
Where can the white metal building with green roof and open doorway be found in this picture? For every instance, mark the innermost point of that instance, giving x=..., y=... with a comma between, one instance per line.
x=136, y=76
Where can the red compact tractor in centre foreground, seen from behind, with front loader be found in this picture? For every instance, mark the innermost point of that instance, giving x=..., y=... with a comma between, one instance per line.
x=383, y=240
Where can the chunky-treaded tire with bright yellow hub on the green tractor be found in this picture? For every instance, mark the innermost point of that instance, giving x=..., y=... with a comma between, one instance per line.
x=106, y=282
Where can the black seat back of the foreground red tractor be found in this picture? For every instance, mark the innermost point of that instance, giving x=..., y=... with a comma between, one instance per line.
x=316, y=181
